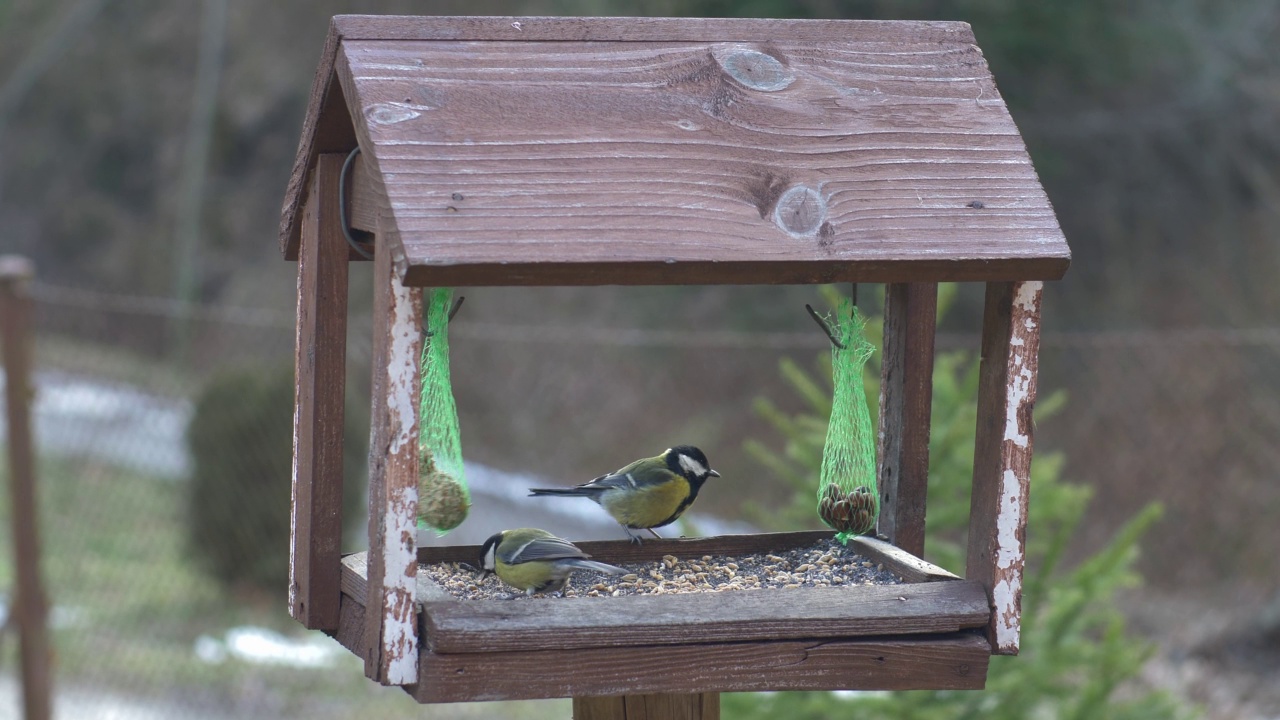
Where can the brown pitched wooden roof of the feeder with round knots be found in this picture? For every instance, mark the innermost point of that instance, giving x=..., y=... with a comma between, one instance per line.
x=657, y=151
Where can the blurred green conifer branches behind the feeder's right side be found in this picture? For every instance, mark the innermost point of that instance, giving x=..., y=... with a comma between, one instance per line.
x=1076, y=651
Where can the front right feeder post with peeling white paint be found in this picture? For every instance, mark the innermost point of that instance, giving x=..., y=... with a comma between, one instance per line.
x=1003, y=454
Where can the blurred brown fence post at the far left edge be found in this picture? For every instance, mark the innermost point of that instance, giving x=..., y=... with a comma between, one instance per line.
x=31, y=607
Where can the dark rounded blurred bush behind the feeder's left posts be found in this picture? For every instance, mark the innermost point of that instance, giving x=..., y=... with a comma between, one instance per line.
x=241, y=441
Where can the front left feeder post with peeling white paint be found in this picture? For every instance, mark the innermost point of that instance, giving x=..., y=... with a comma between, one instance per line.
x=391, y=618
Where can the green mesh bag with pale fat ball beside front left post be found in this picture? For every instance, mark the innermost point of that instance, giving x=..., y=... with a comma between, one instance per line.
x=444, y=500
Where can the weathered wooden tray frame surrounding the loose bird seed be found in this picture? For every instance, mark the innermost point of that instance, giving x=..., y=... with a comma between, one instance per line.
x=922, y=634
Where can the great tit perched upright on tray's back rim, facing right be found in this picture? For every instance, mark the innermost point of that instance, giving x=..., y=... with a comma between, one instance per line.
x=647, y=494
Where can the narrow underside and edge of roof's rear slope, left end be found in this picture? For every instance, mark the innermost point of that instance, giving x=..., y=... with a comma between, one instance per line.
x=326, y=129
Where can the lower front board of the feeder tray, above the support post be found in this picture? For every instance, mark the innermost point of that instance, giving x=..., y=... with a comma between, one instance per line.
x=956, y=662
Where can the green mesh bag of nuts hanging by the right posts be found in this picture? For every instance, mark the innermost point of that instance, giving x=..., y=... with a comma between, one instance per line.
x=848, y=502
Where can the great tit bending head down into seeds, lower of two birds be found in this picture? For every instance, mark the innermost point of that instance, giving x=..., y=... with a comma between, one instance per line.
x=536, y=560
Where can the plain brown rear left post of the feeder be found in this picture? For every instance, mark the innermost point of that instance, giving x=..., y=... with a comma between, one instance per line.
x=321, y=370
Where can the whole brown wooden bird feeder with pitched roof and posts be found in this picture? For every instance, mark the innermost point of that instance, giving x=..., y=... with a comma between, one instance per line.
x=574, y=152
